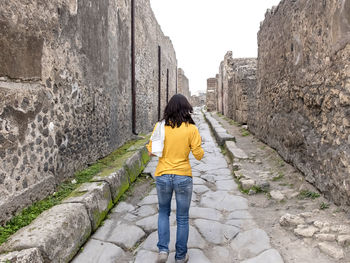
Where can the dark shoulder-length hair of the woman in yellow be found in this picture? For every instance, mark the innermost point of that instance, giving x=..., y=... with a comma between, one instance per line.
x=178, y=111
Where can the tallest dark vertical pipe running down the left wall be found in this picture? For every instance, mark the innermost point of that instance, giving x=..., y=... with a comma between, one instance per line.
x=133, y=82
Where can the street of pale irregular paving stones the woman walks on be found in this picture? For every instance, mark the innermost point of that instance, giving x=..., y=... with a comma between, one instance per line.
x=221, y=228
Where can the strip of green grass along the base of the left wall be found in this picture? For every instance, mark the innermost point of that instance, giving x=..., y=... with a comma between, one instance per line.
x=27, y=215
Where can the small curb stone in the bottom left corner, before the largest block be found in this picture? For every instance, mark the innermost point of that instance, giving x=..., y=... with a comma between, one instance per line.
x=31, y=255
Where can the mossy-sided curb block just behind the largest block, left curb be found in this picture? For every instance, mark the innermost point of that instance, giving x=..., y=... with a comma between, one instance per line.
x=96, y=197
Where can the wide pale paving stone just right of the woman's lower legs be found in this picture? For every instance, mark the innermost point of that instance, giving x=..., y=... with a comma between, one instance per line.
x=215, y=232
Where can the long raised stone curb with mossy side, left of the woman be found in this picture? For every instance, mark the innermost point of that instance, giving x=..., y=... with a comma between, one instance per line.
x=58, y=233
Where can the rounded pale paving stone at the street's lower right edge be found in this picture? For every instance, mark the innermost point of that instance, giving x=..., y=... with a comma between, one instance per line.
x=250, y=243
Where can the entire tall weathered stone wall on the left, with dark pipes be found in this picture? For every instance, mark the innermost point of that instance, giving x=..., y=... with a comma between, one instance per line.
x=77, y=79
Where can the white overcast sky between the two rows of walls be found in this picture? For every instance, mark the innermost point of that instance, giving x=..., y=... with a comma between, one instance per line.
x=203, y=30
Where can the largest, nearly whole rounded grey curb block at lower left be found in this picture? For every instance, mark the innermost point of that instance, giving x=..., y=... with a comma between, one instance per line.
x=58, y=233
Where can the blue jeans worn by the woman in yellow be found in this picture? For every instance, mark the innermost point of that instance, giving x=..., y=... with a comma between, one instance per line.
x=182, y=185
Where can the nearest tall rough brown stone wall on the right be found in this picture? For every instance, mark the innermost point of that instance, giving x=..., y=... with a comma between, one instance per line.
x=304, y=90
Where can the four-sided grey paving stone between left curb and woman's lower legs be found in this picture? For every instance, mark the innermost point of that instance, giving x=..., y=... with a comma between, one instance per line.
x=123, y=235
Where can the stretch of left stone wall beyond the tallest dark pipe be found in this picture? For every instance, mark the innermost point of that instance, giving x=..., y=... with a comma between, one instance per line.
x=150, y=40
